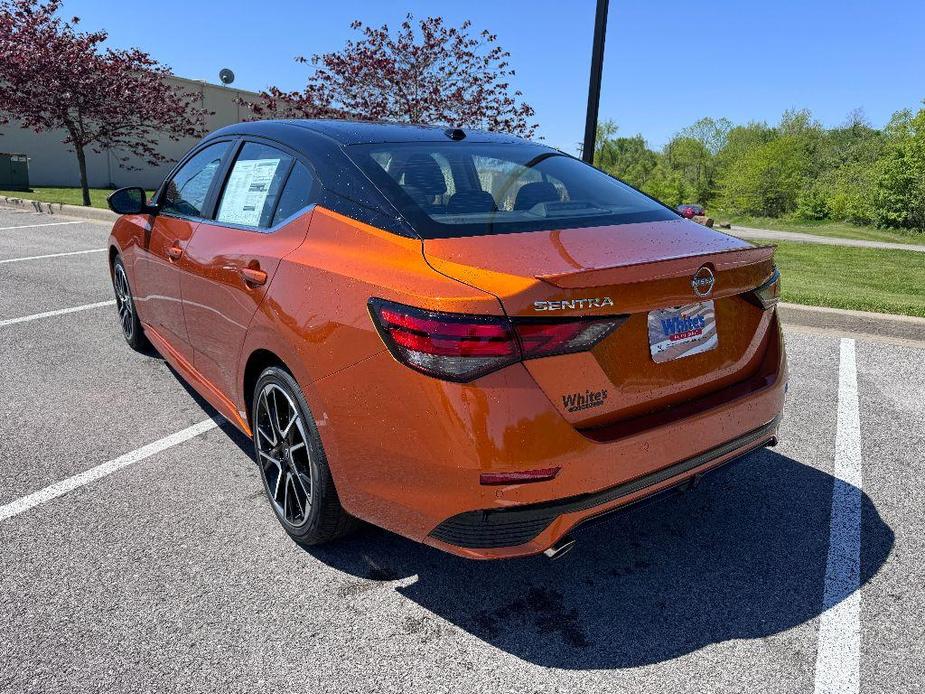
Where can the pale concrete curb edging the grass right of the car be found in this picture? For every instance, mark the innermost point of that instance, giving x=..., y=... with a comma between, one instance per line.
x=854, y=322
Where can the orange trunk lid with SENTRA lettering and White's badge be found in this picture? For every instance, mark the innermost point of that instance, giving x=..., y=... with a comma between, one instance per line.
x=630, y=269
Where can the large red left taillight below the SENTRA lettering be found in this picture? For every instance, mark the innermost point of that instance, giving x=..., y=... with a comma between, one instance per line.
x=462, y=347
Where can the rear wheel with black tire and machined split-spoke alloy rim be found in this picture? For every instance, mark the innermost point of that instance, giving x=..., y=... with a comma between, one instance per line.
x=295, y=472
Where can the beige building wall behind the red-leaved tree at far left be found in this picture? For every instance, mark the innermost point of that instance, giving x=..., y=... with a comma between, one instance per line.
x=52, y=163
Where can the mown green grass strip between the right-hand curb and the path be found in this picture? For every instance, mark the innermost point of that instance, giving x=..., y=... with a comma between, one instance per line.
x=862, y=279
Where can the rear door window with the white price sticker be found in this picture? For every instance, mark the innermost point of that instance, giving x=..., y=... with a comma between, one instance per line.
x=253, y=186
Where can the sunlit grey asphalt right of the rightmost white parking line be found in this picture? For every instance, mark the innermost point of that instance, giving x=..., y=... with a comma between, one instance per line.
x=892, y=610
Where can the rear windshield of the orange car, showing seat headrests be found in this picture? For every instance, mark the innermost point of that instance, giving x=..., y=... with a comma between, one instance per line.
x=468, y=189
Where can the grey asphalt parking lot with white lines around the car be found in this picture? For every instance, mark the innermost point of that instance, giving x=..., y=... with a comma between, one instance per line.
x=798, y=569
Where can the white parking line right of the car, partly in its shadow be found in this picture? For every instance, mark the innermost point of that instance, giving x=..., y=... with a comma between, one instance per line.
x=838, y=665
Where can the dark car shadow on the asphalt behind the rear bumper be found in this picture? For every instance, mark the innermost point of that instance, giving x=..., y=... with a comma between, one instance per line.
x=742, y=556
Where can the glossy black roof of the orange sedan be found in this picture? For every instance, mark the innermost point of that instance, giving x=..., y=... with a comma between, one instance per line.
x=346, y=132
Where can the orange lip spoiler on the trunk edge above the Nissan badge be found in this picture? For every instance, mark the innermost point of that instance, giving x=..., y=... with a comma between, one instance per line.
x=681, y=266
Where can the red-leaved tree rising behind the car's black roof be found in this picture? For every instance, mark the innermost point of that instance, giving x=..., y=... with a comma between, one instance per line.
x=431, y=73
